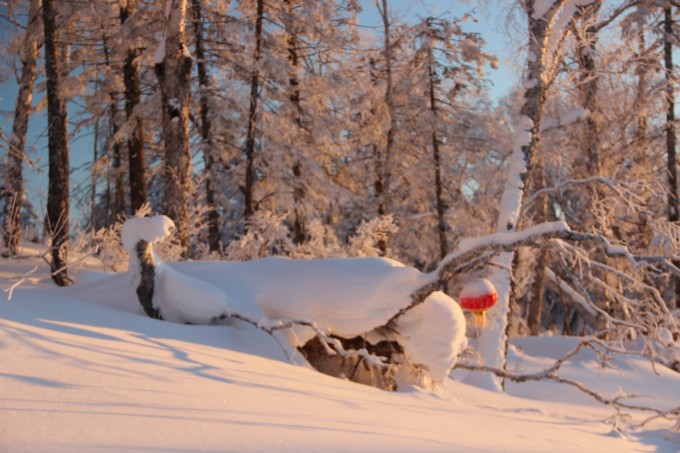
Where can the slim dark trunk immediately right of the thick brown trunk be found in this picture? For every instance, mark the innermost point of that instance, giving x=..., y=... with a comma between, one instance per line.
x=206, y=136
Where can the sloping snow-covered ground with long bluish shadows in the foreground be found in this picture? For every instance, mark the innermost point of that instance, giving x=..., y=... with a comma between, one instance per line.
x=82, y=371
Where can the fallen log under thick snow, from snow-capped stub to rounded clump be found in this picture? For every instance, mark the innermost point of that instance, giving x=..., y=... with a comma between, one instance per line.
x=334, y=310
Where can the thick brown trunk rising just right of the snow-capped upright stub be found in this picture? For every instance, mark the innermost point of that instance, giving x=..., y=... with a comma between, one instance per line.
x=174, y=77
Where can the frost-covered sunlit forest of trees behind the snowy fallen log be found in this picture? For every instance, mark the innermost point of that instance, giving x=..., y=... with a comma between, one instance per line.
x=285, y=127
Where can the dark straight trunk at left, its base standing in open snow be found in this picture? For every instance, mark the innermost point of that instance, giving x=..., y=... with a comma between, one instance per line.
x=59, y=168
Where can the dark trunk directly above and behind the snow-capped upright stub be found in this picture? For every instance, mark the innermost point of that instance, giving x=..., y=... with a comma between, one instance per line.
x=133, y=96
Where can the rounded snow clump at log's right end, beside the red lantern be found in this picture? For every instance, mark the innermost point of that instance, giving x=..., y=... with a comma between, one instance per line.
x=433, y=334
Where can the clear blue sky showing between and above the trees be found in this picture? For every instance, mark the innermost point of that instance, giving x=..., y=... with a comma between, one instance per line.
x=81, y=148
